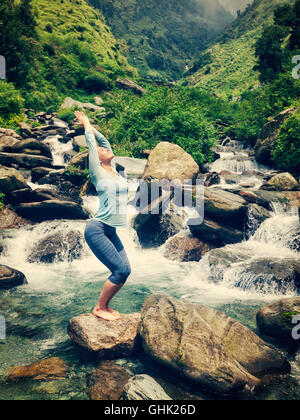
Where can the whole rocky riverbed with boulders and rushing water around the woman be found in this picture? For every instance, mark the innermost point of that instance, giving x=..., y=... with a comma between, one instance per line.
x=216, y=290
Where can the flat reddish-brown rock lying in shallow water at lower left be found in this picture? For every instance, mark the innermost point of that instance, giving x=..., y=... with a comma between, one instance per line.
x=46, y=370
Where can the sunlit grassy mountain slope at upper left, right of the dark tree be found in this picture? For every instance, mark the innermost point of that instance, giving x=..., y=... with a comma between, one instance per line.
x=76, y=53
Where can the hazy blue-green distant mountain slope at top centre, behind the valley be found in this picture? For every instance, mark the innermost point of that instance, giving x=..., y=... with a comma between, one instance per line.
x=164, y=36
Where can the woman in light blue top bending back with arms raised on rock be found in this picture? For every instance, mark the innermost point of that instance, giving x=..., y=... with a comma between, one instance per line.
x=100, y=232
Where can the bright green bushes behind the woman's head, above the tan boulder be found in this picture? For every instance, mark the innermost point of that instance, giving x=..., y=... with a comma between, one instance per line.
x=185, y=116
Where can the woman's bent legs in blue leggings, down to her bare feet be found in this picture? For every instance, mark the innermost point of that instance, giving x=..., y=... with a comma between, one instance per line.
x=101, y=239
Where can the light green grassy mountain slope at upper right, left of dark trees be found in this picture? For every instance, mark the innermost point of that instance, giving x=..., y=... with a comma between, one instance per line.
x=228, y=66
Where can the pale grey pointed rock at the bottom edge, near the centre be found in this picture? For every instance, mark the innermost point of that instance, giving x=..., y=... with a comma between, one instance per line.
x=143, y=387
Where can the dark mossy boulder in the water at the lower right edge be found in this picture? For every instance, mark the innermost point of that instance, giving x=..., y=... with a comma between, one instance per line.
x=276, y=319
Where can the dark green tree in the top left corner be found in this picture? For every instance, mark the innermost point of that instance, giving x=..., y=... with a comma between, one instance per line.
x=19, y=40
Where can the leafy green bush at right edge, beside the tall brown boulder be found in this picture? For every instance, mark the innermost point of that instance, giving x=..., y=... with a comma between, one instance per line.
x=286, y=148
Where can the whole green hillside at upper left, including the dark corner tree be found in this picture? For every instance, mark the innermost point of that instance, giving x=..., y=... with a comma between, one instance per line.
x=53, y=48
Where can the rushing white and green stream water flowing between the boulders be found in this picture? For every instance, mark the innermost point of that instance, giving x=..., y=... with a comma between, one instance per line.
x=37, y=314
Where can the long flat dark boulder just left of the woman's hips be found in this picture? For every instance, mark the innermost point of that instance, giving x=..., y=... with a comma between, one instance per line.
x=51, y=210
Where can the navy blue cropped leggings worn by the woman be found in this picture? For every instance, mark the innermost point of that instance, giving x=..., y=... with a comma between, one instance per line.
x=108, y=248
